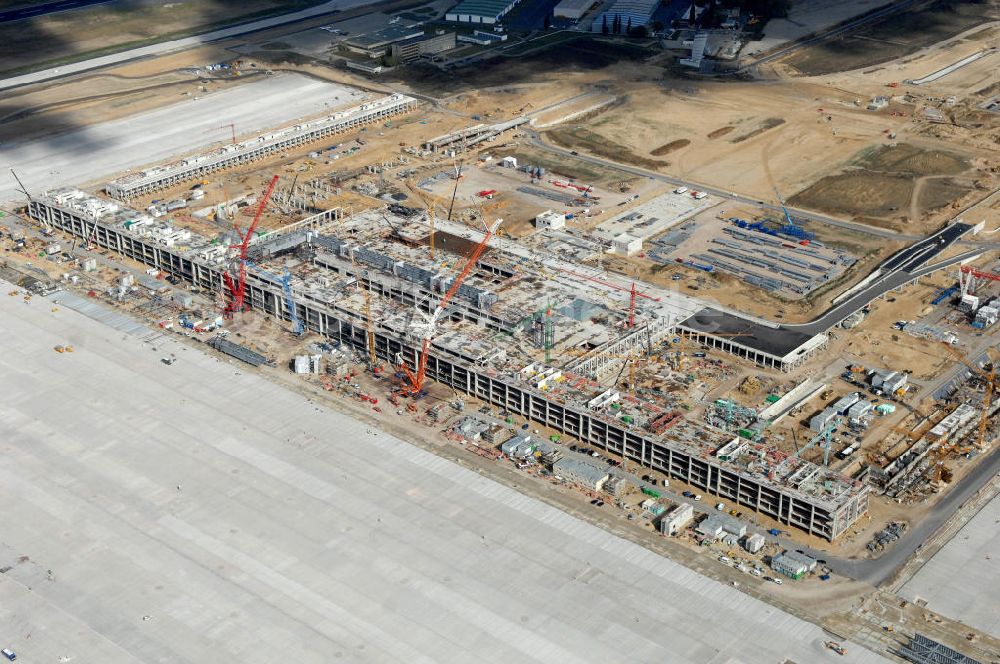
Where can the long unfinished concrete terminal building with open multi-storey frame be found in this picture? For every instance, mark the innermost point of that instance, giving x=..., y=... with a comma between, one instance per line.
x=527, y=331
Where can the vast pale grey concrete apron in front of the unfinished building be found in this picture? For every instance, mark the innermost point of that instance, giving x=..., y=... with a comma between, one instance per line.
x=200, y=513
